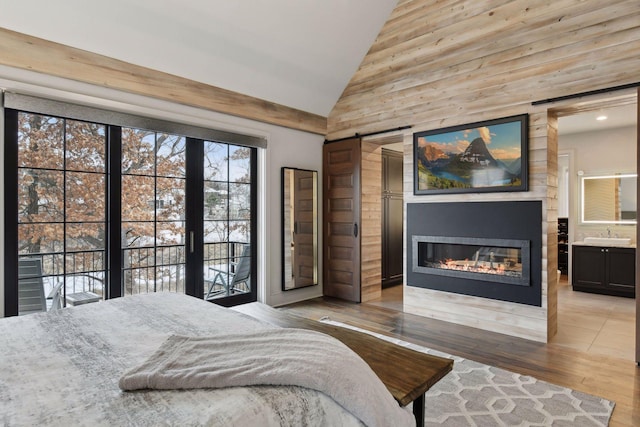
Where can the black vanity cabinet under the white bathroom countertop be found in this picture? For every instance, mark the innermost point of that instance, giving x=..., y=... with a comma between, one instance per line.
x=604, y=270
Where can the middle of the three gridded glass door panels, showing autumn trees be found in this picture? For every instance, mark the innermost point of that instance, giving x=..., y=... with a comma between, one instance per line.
x=153, y=233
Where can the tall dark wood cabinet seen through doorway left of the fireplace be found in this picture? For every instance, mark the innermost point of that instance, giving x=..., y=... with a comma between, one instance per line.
x=392, y=244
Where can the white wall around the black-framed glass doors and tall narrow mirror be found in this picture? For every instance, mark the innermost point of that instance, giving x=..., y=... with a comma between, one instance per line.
x=286, y=147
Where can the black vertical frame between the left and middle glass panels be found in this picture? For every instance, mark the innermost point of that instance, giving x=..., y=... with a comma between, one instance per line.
x=114, y=261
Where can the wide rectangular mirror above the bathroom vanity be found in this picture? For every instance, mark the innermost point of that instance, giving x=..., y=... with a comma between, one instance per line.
x=608, y=199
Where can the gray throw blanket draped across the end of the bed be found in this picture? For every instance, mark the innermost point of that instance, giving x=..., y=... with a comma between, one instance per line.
x=271, y=357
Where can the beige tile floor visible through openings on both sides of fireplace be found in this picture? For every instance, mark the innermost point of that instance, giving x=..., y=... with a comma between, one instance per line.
x=596, y=324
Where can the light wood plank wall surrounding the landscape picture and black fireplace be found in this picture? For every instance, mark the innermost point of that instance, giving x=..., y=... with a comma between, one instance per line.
x=438, y=64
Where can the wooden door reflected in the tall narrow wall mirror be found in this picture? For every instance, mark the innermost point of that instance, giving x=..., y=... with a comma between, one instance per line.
x=304, y=242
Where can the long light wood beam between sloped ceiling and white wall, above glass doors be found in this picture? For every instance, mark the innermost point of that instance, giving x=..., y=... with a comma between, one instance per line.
x=34, y=54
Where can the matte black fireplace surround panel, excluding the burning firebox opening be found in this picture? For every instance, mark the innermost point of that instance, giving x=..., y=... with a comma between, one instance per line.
x=492, y=222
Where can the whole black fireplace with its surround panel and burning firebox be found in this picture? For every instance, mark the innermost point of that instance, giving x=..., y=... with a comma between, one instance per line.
x=485, y=249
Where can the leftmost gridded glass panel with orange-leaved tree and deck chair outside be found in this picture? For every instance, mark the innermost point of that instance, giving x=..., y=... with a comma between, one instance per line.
x=61, y=199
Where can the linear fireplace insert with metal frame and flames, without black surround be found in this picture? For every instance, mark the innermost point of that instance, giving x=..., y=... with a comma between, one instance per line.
x=493, y=260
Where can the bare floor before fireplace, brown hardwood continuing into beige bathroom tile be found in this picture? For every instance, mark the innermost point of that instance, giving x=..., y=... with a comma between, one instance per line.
x=593, y=352
